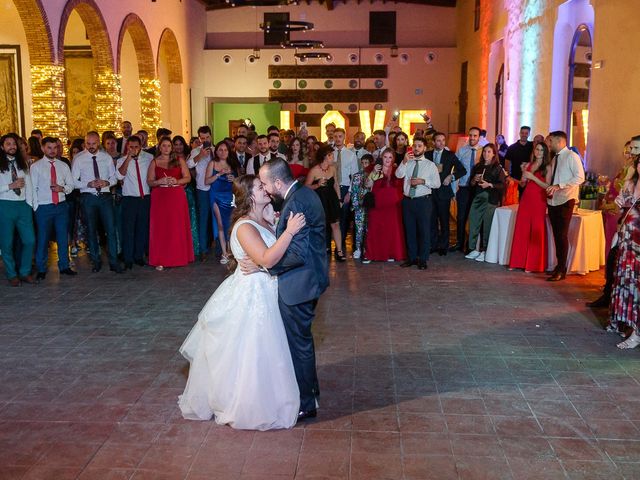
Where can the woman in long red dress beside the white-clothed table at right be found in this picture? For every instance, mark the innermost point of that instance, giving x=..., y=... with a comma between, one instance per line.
x=529, y=246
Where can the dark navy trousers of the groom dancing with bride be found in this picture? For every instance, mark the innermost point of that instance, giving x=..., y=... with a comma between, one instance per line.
x=297, y=321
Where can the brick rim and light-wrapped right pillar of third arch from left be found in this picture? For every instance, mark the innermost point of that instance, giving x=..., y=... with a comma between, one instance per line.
x=148, y=81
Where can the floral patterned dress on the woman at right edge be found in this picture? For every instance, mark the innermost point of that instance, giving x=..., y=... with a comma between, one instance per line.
x=625, y=299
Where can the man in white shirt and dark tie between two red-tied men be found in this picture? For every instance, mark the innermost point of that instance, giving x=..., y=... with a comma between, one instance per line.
x=94, y=173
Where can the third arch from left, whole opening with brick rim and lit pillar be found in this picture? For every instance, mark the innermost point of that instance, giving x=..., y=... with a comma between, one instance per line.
x=140, y=87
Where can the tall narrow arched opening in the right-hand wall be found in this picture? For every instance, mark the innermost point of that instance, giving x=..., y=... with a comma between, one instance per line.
x=577, y=121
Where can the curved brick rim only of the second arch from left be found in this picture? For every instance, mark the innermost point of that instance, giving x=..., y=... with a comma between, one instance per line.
x=96, y=29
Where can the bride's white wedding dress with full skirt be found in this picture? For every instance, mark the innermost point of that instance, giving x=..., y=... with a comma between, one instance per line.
x=241, y=369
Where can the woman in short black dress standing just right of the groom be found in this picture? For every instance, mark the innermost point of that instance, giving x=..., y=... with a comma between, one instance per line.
x=323, y=179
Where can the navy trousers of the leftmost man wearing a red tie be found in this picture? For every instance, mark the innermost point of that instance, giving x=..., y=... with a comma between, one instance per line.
x=56, y=217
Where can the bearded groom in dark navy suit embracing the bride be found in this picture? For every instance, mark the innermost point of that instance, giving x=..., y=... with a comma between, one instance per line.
x=302, y=274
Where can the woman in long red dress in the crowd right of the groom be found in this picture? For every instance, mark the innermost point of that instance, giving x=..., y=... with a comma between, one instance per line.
x=385, y=232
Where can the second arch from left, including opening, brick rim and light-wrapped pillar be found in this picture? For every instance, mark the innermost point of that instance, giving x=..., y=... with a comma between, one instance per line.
x=93, y=97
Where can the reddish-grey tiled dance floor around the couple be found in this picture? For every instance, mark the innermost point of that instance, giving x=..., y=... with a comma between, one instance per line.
x=463, y=371
